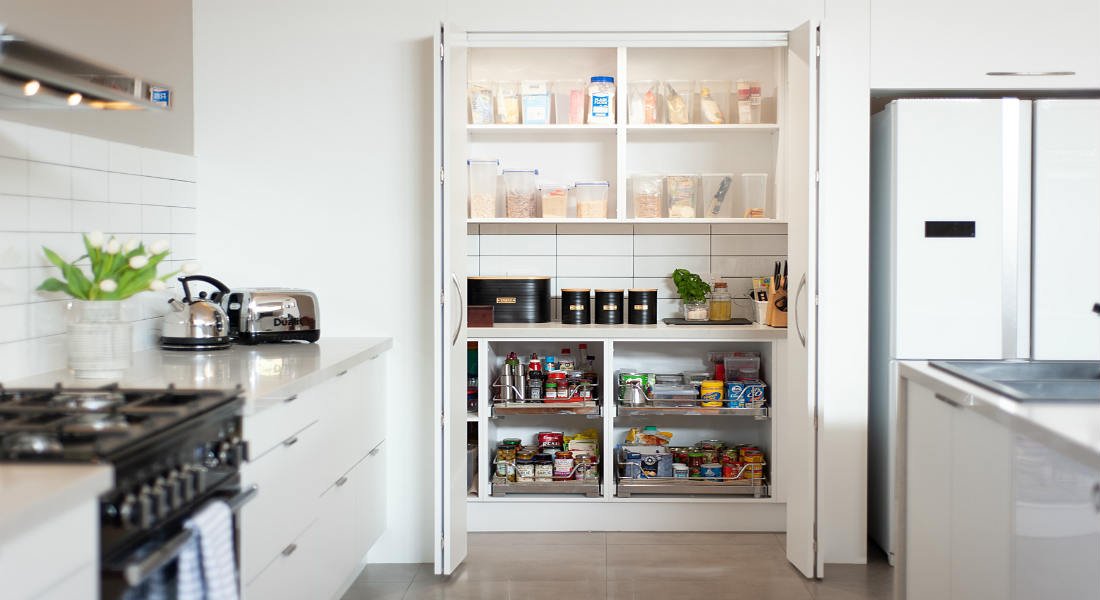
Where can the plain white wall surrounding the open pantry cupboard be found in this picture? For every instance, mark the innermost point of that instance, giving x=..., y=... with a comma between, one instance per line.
x=314, y=137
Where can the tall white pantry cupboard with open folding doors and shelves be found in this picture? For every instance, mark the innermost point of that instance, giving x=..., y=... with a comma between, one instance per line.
x=784, y=146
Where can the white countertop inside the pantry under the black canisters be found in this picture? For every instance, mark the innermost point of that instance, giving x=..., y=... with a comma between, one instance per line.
x=659, y=332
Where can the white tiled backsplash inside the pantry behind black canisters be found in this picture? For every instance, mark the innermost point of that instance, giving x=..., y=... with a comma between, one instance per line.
x=630, y=256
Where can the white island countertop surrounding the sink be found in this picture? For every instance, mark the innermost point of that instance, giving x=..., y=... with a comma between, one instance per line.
x=1072, y=429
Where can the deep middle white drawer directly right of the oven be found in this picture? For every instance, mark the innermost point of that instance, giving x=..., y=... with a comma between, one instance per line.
x=288, y=501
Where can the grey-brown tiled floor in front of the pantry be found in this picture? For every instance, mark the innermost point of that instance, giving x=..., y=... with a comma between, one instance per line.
x=577, y=566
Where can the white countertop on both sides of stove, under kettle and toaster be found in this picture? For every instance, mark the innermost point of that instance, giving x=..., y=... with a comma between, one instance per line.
x=268, y=374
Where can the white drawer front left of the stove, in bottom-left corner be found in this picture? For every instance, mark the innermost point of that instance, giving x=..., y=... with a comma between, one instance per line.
x=32, y=562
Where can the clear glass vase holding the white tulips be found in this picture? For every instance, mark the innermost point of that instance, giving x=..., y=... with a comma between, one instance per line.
x=100, y=342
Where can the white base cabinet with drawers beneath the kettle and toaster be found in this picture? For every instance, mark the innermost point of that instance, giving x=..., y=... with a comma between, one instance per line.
x=320, y=464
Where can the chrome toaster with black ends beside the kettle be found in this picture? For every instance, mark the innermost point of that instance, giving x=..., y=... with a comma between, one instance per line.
x=259, y=315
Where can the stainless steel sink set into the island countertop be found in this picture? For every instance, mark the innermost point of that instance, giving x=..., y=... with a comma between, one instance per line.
x=1031, y=381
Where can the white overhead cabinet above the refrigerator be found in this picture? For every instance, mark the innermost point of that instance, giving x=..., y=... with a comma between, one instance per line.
x=985, y=45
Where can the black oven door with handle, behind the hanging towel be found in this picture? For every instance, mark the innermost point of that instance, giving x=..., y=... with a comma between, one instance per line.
x=149, y=571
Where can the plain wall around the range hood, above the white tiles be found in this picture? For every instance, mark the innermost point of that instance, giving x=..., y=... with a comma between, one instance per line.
x=147, y=39
